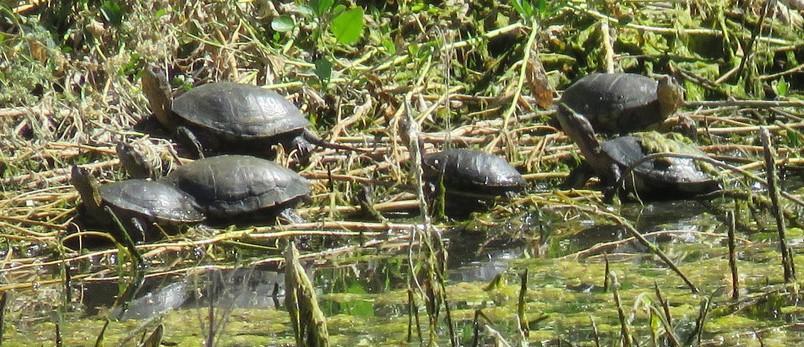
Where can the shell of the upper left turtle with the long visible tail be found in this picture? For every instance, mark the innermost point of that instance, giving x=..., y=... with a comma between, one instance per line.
x=239, y=110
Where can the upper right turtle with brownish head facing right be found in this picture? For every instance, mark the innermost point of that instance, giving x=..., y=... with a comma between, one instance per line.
x=621, y=103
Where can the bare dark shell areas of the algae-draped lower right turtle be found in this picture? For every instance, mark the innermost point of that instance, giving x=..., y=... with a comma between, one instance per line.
x=662, y=177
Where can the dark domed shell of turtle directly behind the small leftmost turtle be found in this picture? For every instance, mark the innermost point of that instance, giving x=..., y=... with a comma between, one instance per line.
x=230, y=185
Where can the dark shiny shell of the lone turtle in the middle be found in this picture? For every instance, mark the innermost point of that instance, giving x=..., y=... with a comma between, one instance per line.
x=472, y=171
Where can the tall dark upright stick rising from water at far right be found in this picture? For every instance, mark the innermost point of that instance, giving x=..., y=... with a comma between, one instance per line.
x=773, y=192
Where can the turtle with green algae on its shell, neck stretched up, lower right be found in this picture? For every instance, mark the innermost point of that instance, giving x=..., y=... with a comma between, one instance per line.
x=656, y=179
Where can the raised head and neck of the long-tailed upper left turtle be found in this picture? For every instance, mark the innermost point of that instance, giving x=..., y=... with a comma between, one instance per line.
x=156, y=87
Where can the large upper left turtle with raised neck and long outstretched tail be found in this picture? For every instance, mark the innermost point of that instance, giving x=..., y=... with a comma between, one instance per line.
x=230, y=117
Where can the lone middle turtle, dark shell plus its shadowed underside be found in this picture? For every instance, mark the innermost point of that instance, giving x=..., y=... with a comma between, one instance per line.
x=471, y=178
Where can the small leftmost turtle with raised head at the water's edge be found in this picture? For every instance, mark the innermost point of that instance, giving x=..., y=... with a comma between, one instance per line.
x=137, y=203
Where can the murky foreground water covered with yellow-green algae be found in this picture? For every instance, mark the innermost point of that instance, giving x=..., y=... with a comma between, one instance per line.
x=364, y=294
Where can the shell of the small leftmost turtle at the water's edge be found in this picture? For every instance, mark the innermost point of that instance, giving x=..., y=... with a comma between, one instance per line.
x=156, y=201
